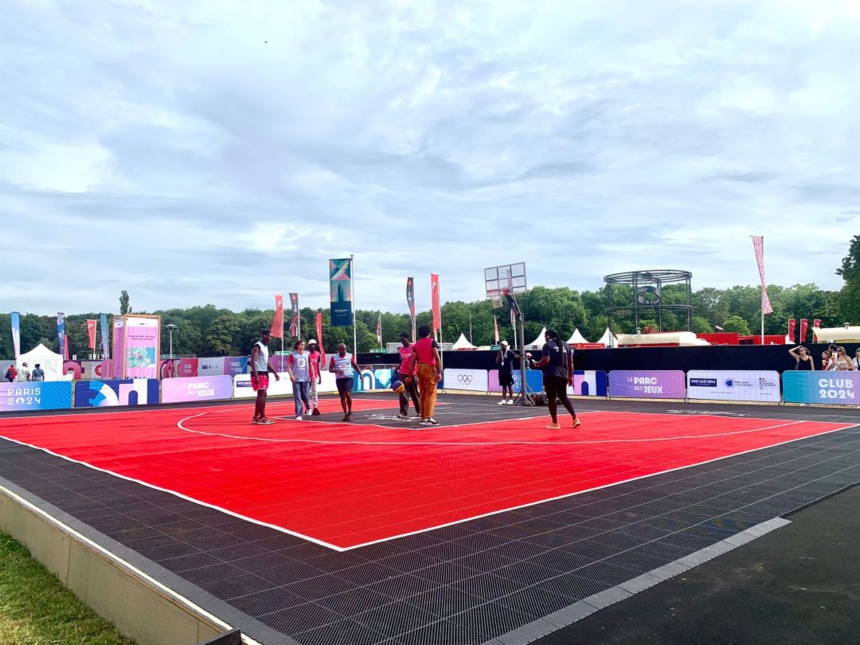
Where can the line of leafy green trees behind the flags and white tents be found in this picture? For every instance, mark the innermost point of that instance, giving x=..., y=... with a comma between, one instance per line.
x=212, y=331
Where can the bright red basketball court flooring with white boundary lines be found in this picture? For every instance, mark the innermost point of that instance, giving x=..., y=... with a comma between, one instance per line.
x=350, y=484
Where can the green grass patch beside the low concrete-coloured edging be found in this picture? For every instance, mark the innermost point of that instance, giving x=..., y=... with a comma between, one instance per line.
x=36, y=609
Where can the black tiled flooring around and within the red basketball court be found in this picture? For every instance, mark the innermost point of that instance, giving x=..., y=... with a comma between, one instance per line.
x=506, y=577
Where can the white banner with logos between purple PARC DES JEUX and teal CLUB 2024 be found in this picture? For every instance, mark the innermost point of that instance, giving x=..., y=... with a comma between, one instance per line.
x=733, y=385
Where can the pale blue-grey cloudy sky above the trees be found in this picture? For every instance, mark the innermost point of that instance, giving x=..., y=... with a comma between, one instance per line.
x=219, y=152
